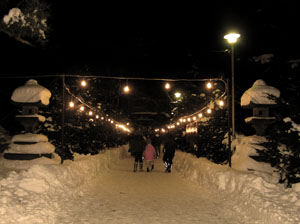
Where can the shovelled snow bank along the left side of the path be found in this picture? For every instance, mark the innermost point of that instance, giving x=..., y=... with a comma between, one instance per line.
x=28, y=196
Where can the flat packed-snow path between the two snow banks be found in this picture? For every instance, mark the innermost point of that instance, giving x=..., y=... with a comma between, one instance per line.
x=122, y=196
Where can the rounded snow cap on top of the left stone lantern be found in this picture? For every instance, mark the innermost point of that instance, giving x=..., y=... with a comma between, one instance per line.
x=31, y=92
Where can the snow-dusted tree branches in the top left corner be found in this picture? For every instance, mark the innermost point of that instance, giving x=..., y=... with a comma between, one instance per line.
x=25, y=21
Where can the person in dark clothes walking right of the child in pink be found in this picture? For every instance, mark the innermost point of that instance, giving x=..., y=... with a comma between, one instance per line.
x=169, y=152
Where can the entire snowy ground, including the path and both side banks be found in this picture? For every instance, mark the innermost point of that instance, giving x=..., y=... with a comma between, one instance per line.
x=103, y=189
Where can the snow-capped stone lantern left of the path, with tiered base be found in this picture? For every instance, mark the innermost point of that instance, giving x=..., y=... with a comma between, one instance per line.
x=30, y=145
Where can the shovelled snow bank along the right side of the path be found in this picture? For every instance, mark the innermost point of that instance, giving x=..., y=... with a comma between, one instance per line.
x=251, y=192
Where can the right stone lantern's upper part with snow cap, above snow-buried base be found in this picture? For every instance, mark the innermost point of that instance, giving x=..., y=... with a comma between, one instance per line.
x=260, y=98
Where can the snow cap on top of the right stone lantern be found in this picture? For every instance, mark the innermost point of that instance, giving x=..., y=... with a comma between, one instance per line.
x=259, y=94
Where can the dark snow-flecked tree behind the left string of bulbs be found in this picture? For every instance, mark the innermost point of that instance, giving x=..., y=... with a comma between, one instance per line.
x=83, y=133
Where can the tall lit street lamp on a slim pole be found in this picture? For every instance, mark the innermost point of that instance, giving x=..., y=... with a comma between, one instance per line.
x=232, y=39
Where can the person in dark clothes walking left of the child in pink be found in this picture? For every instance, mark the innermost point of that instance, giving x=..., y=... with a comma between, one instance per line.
x=137, y=147
